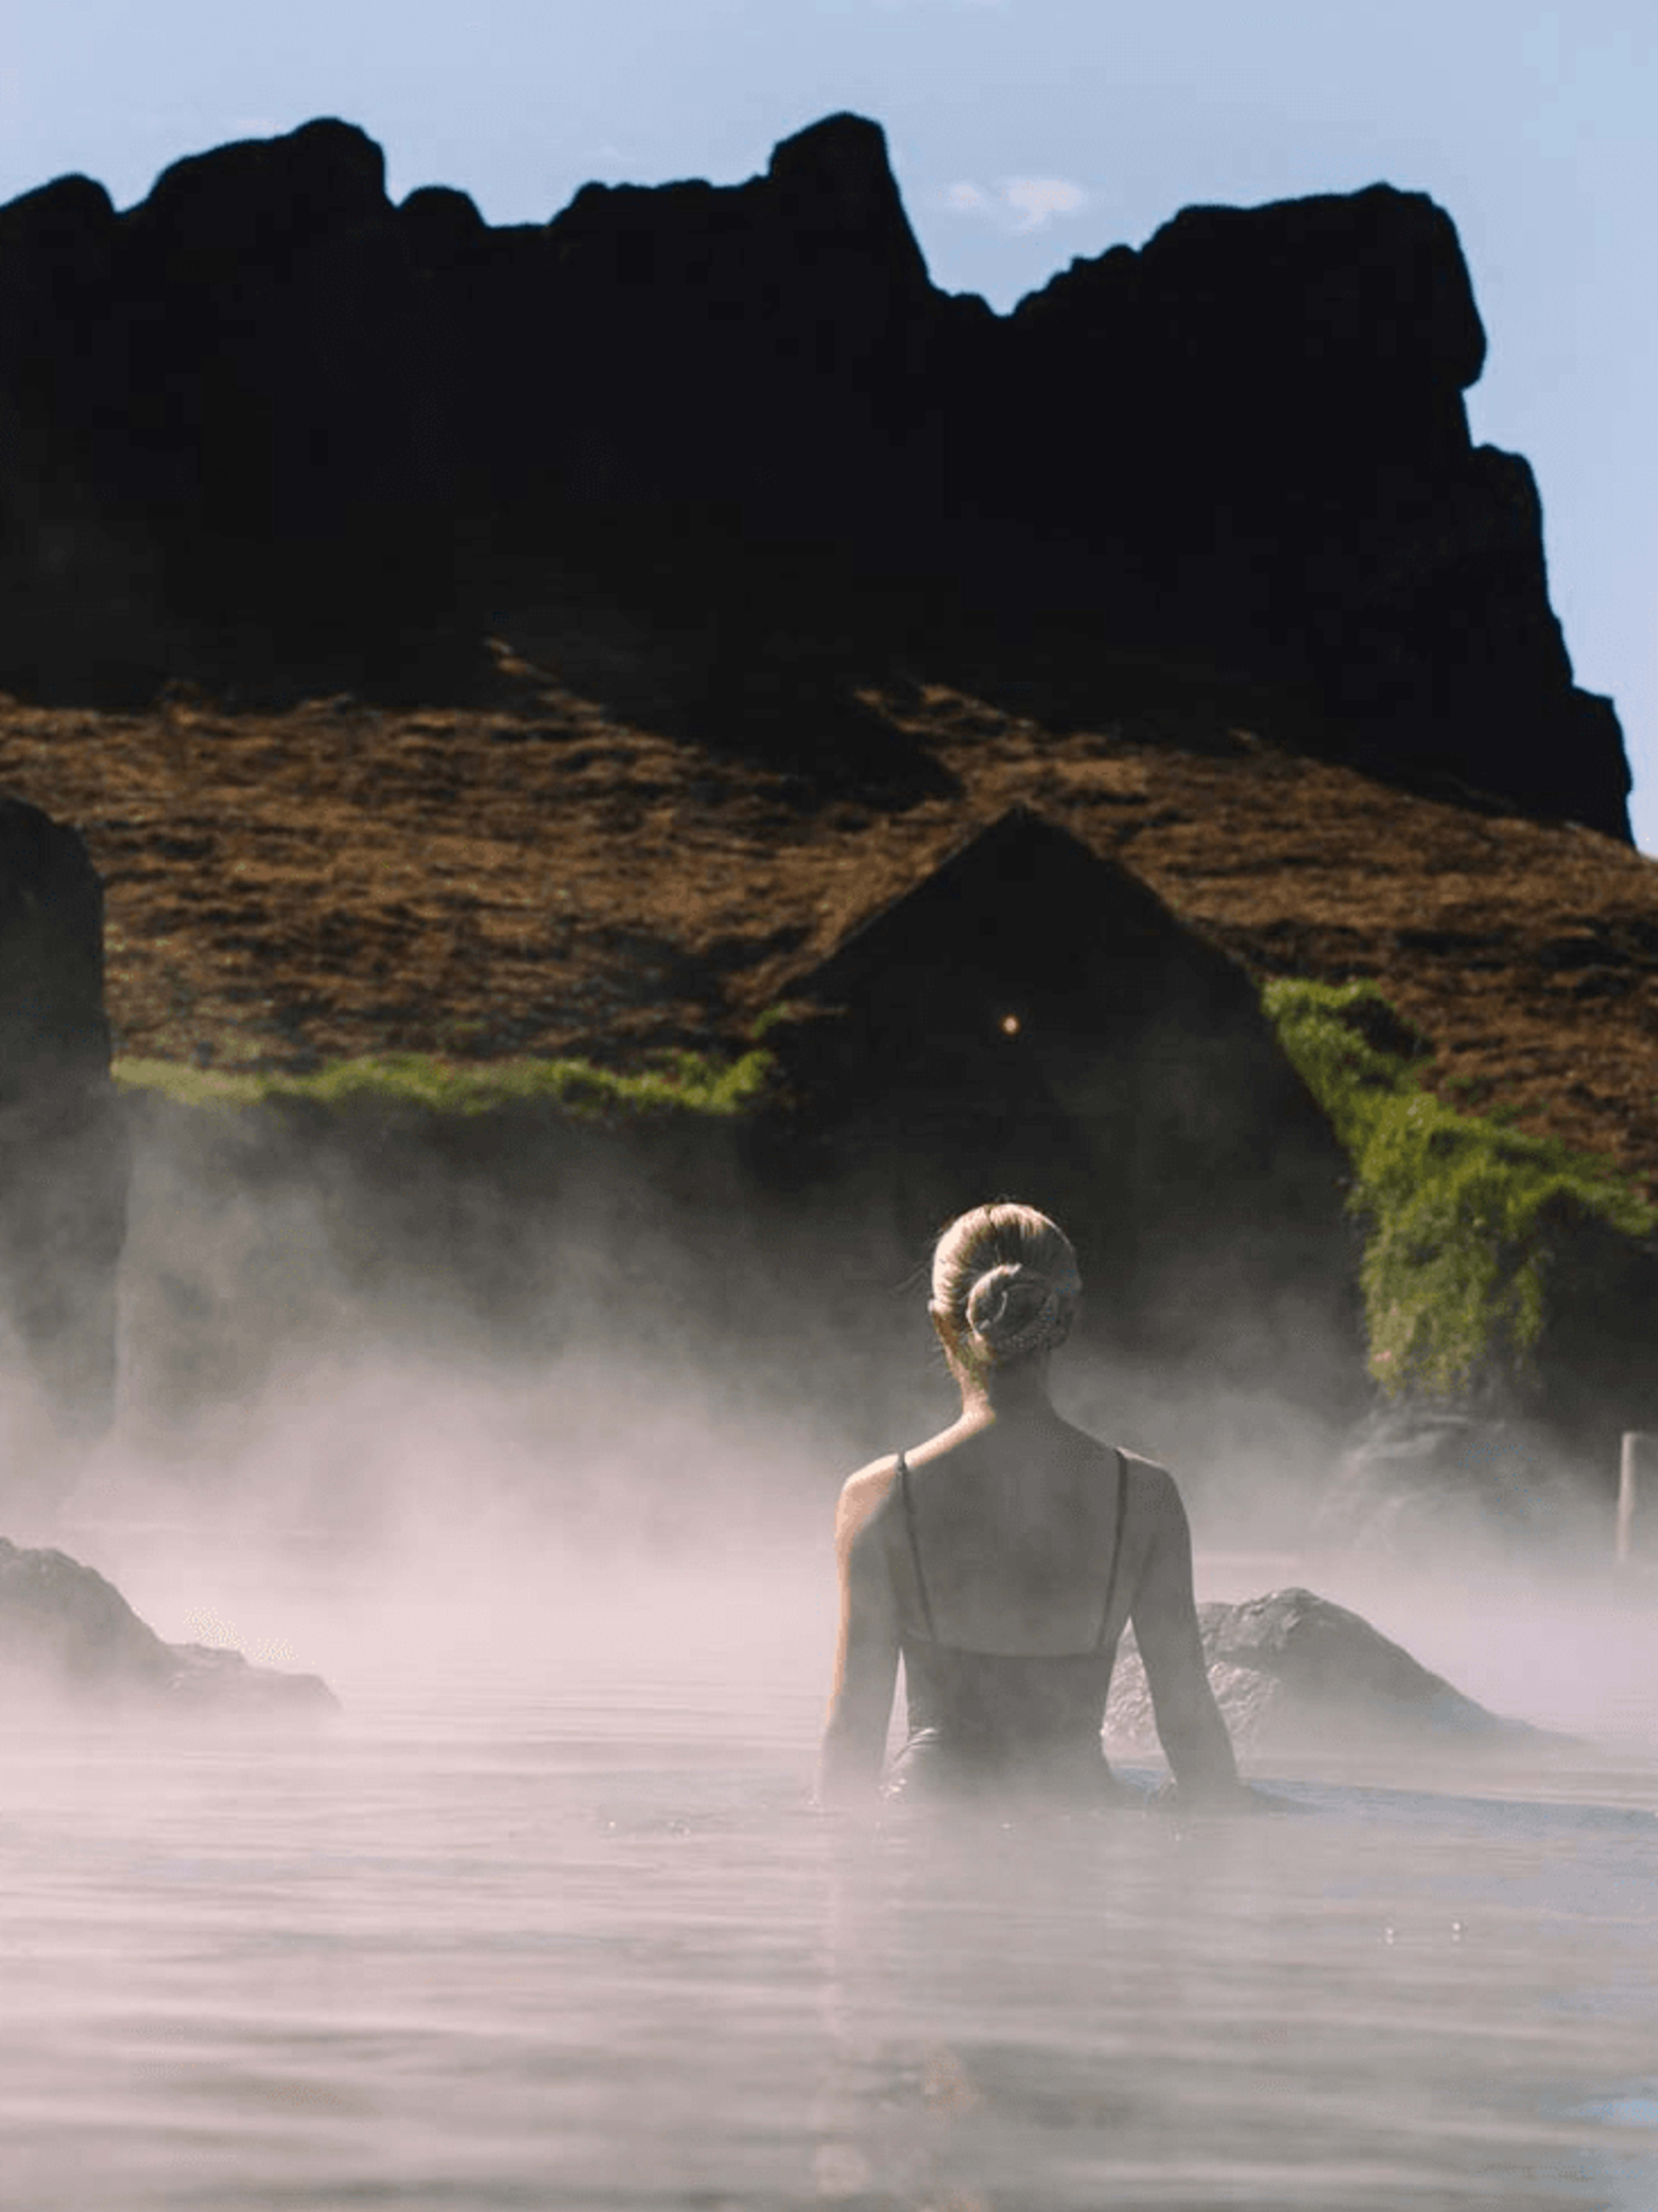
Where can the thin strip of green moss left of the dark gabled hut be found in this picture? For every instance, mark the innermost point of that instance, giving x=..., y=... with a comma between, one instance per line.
x=680, y=1083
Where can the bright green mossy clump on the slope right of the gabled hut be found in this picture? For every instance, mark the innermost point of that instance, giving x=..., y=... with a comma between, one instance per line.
x=1460, y=1211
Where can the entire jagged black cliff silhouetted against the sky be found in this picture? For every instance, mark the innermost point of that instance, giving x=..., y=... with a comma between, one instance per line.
x=271, y=424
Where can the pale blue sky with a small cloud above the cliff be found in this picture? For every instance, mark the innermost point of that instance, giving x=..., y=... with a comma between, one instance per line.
x=1022, y=132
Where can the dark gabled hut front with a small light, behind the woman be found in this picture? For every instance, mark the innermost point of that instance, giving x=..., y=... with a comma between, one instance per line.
x=1033, y=1021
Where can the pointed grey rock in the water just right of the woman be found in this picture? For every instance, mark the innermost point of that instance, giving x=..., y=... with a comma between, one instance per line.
x=1297, y=1673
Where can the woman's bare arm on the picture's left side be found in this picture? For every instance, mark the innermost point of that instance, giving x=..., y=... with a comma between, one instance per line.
x=861, y=1700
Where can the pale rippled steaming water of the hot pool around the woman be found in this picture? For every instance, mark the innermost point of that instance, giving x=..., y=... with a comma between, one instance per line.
x=545, y=1919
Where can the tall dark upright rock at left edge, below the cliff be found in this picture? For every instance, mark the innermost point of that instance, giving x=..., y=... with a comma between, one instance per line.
x=63, y=1138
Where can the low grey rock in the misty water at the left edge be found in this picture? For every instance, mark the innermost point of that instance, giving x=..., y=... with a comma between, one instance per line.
x=65, y=1631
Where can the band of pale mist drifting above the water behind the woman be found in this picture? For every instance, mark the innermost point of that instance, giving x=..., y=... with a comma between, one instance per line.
x=406, y=1428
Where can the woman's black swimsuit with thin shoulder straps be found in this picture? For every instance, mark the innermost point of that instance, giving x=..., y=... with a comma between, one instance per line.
x=996, y=1718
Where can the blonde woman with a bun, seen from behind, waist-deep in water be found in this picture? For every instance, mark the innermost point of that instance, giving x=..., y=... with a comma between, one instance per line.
x=1005, y=1558
